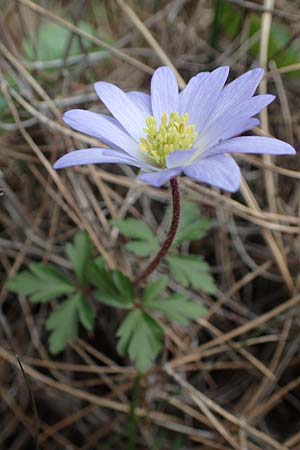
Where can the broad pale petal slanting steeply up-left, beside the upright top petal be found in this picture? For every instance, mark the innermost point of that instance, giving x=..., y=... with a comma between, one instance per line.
x=127, y=112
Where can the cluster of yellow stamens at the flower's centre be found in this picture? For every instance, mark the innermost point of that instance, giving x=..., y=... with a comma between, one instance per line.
x=172, y=135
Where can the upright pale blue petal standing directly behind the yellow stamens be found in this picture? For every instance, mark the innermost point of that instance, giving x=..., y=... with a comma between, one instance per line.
x=164, y=93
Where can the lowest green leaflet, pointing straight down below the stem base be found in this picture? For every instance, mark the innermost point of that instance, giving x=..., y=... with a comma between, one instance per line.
x=140, y=336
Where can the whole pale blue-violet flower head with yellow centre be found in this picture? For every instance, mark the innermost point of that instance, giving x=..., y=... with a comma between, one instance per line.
x=168, y=133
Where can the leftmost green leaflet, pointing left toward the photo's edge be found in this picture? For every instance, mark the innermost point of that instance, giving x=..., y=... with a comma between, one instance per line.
x=41, y=283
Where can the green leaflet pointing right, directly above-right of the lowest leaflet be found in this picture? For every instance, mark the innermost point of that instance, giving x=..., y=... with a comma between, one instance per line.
x=178, y=308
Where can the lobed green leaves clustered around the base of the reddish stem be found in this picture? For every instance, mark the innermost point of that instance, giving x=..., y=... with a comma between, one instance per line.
x=140, y=335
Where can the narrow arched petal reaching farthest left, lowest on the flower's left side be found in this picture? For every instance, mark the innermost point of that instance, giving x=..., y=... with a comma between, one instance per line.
x=95, y=156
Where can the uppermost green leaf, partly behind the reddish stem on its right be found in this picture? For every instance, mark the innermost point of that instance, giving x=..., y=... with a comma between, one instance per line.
x=191, y=226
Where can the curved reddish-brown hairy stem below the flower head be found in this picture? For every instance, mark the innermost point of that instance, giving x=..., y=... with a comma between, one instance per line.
x=171, y=235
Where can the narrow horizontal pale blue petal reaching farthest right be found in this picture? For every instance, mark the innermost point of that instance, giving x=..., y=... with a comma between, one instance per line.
x=252, y=144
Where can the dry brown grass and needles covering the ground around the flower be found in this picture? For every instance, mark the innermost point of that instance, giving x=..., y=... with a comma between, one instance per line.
x=230, y=381
